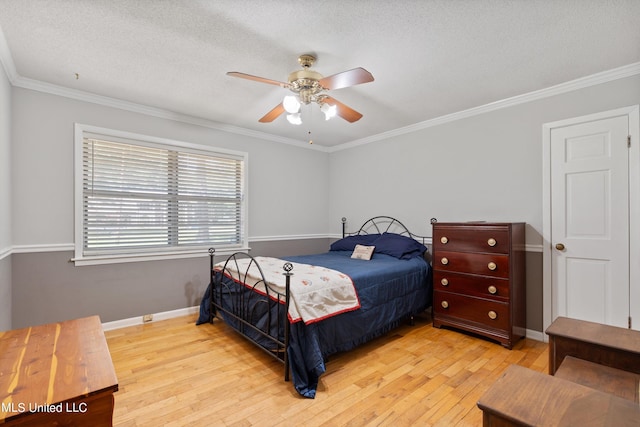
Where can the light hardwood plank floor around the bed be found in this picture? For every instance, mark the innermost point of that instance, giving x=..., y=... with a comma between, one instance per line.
x=174, y=373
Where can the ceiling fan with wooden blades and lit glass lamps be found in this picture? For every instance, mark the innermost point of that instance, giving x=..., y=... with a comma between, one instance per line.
x=309, y=86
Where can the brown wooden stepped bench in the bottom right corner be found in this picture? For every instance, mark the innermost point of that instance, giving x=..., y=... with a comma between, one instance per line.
x=594, y=380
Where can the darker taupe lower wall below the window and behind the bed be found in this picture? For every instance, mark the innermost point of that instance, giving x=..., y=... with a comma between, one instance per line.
x=48, y=288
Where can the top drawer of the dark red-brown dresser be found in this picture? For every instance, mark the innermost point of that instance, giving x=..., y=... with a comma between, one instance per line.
x=471, y=238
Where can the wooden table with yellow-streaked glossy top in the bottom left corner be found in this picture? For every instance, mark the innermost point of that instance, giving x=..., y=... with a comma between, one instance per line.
x=58, y=374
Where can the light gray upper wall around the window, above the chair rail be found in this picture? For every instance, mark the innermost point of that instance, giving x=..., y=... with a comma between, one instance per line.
x=43, y=141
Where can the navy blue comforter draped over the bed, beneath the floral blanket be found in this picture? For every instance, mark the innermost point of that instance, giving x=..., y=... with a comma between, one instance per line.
x=389, y=290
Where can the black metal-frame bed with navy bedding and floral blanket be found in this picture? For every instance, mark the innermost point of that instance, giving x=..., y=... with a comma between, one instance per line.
x=372, y=281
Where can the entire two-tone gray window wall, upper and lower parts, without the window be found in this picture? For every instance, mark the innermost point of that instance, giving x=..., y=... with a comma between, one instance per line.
x=46, y=287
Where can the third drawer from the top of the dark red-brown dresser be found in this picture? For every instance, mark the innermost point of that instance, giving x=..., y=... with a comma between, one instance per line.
x=483, y=287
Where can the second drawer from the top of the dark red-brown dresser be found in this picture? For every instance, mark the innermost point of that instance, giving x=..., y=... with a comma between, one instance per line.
x=485, y=264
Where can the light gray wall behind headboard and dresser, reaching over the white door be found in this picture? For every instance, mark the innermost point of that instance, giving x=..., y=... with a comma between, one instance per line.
x=485, y=167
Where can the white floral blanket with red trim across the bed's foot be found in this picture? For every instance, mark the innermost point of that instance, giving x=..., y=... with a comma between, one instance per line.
x=316, y=292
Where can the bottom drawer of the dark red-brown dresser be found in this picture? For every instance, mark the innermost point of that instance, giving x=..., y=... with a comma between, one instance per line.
x=492, y=314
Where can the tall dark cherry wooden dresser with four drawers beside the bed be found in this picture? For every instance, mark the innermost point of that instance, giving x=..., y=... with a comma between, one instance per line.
x=479, y=279
